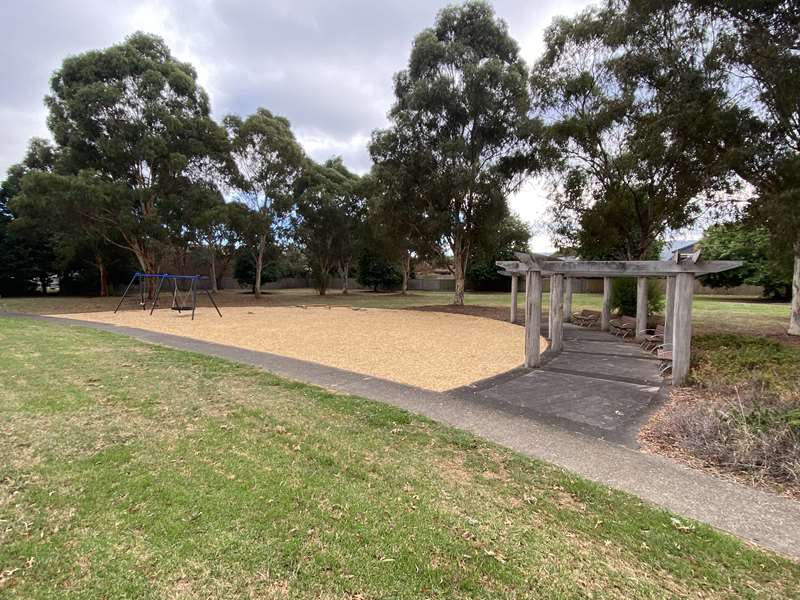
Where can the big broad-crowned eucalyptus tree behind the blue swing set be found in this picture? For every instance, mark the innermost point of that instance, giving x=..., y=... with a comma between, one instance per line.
x=135, y=119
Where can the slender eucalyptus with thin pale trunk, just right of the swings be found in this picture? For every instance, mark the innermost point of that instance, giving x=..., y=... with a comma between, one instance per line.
x=268, y=163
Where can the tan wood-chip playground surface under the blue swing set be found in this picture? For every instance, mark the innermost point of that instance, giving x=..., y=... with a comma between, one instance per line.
x=435, y=351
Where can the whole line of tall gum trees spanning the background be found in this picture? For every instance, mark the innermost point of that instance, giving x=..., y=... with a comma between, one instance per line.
x=644, y=115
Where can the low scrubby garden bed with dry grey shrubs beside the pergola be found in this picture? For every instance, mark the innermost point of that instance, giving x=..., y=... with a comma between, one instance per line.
x=743, y=415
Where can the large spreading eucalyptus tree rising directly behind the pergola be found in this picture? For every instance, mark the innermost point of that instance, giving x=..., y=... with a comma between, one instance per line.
x=638, y=115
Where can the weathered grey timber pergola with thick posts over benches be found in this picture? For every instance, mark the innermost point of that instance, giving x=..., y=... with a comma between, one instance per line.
x=679, y=273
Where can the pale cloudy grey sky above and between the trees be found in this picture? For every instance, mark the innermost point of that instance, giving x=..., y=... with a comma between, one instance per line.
x=326, y=65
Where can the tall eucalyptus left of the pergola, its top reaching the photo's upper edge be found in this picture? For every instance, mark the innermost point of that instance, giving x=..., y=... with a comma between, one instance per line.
x=464, y=99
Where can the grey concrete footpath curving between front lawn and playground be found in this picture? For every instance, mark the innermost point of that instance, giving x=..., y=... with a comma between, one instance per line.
x=765, y=519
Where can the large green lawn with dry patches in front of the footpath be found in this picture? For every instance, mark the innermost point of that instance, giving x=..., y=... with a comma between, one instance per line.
x=132, y=470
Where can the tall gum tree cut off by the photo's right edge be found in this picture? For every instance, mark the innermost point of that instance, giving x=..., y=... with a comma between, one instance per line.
x=759, y=43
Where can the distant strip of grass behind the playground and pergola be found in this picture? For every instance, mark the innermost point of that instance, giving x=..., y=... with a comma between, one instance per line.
x=711, y=313
